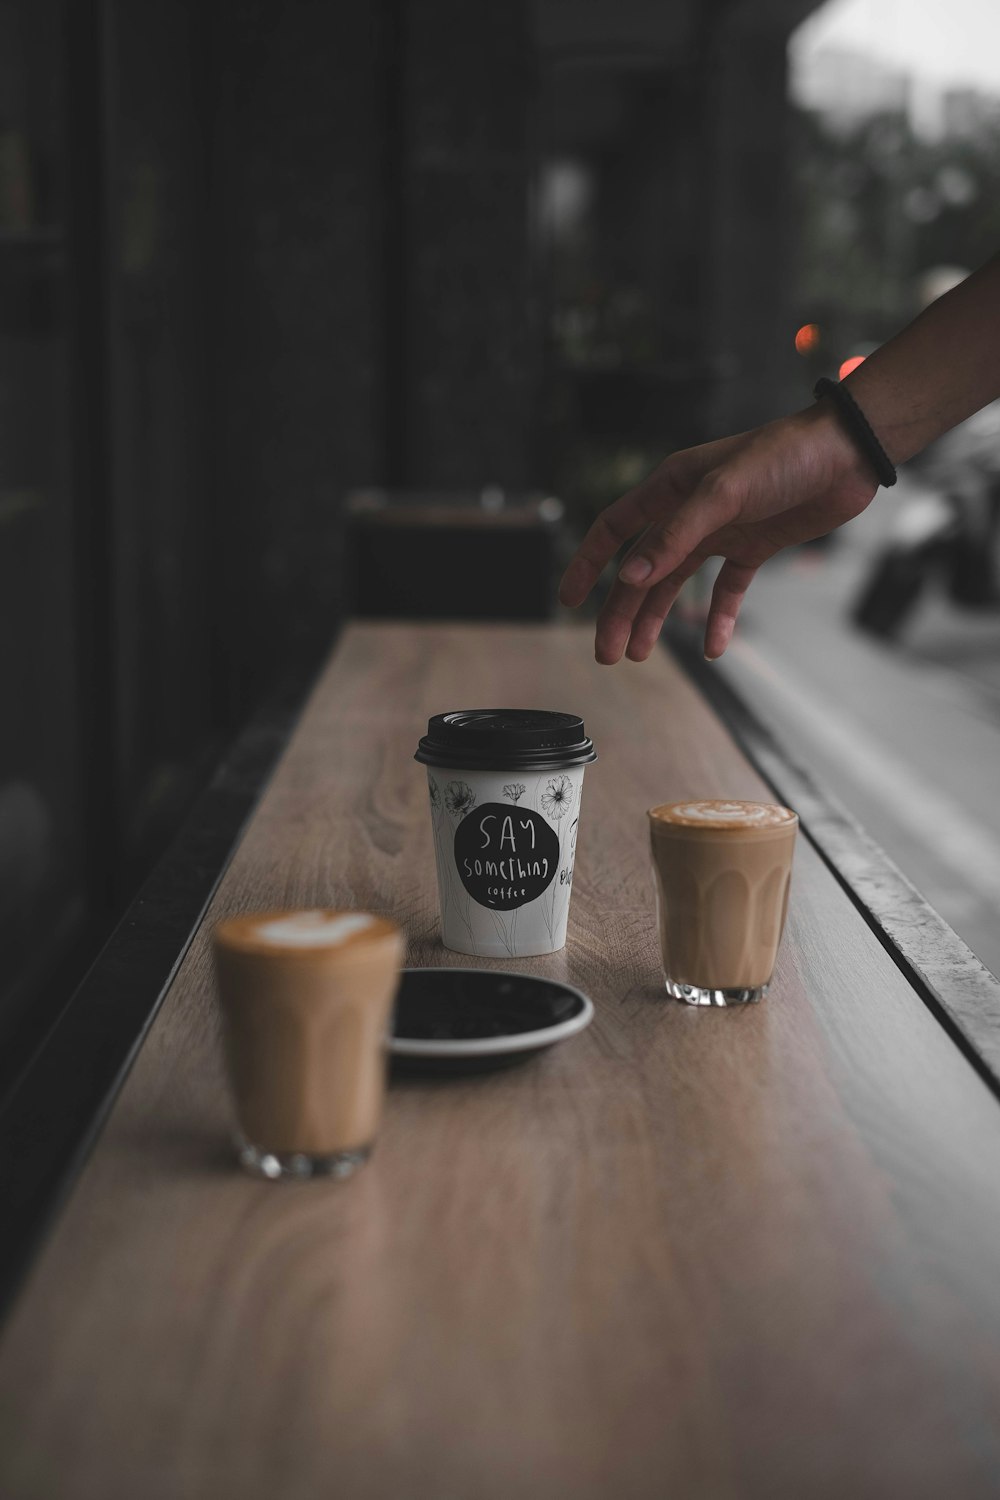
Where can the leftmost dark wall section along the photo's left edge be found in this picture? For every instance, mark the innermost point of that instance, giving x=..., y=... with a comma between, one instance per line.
x=43, y=781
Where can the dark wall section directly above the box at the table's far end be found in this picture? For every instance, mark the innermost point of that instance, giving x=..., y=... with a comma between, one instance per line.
x=470, y=325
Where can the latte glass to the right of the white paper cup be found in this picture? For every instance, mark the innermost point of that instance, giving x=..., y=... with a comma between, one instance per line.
x=723, y=874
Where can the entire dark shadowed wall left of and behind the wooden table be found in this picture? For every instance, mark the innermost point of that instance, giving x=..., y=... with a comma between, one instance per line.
x=253, y=257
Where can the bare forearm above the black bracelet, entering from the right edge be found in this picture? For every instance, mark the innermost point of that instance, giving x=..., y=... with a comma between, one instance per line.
x=941, y=370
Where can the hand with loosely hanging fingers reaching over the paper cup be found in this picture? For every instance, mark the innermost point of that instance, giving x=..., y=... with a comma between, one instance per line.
x=740, y=499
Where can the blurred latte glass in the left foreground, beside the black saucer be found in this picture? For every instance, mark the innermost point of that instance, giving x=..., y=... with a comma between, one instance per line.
x=307, y=1000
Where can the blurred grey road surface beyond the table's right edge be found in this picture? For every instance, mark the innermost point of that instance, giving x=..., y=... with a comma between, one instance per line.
x=906, y=736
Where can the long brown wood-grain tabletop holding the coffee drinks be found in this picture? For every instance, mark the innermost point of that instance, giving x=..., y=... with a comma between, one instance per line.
x=686, y=1255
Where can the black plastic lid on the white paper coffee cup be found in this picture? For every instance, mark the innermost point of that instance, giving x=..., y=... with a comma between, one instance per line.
x=506, y=740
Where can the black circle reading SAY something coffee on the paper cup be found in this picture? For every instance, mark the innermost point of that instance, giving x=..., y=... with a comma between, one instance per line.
x=506, y=856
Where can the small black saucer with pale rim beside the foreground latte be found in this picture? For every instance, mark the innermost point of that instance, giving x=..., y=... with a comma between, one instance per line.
x=469, y=1021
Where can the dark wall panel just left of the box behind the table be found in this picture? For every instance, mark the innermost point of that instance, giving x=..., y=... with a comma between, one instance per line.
x=299, y=242
